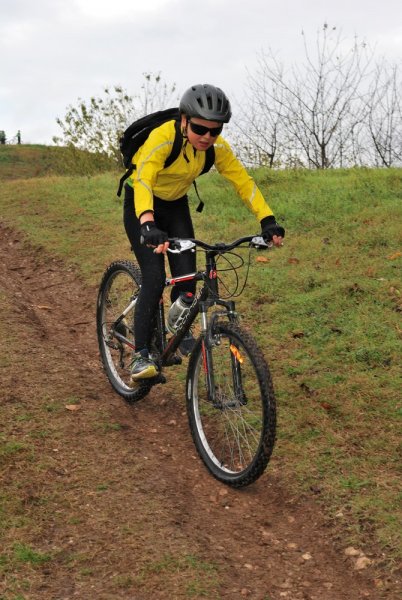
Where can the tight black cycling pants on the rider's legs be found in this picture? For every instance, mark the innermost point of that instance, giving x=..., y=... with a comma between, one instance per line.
x=174, y=218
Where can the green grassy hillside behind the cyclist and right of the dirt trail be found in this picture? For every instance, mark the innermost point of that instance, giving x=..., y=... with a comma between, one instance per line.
x=325, y=308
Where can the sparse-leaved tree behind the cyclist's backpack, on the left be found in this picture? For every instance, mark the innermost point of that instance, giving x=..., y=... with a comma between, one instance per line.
x=97, y=124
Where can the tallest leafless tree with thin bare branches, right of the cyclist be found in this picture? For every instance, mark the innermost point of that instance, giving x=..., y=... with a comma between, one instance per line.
x=316, y=107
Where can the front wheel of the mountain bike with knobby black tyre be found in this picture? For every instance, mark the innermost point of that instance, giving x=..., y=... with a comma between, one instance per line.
x=231, y=405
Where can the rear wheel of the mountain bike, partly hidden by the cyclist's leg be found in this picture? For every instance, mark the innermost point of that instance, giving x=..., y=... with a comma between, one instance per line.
x=120, y=283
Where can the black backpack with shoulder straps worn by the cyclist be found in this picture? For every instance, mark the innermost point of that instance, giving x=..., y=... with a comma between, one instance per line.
x=137, y=133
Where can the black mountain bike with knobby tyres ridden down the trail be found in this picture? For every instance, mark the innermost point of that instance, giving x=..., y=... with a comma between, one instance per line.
x=229, y=393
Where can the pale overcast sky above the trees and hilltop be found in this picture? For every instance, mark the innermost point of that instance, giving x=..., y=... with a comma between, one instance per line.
x=53, y=52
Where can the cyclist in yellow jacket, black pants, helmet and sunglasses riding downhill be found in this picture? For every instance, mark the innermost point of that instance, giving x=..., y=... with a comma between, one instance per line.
x=156, y=205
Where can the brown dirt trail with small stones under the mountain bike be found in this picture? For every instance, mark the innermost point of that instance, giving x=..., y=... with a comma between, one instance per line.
x=123, y=486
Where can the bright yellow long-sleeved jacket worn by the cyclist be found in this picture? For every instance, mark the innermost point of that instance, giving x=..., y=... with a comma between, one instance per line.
x=151, y=178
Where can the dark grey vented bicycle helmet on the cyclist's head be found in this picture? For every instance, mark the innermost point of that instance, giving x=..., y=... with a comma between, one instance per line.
x=206, y=102
